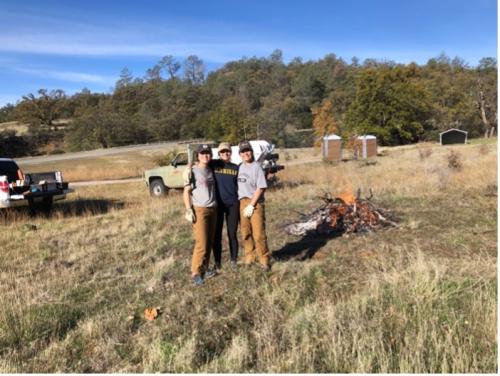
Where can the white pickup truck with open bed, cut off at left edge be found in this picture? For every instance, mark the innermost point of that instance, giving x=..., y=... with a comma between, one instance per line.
x=35, y=190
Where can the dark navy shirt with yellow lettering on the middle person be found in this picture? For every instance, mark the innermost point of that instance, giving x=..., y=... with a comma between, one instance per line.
x=226, y=181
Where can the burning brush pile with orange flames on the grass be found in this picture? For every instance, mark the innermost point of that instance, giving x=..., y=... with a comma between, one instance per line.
x=344, y=214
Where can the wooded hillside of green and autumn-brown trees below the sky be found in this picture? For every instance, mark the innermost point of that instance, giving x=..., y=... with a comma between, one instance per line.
x=290, y=104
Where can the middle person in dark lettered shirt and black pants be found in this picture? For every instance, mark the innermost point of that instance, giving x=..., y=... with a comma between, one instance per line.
x=226, y=175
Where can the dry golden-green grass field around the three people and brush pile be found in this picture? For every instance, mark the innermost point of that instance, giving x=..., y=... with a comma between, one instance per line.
x=419, y=298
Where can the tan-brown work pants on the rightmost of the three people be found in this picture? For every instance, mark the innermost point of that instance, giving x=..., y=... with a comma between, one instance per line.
x=253, y=233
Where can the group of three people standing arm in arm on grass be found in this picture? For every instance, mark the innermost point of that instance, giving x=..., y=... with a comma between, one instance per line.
x=215, y=189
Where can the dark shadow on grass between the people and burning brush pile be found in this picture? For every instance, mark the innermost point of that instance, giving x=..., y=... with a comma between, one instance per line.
x=304, y=248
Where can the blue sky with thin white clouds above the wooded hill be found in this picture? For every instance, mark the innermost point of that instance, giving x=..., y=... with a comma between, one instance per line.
x=73, y=45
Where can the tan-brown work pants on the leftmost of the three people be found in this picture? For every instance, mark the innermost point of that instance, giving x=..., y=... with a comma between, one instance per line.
x=204, y=231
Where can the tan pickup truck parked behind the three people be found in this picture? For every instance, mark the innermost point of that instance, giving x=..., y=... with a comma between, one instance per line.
x=161, y=179
